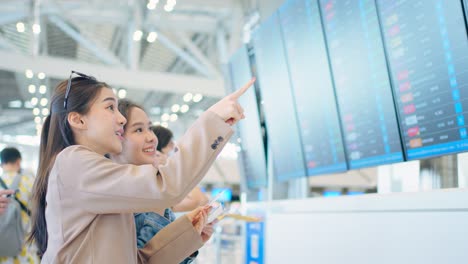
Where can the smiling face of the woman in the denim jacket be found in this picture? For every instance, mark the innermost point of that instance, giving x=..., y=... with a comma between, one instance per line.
x=139, y=144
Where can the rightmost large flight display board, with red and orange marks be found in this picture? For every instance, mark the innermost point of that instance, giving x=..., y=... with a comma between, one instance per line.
x=427, y=48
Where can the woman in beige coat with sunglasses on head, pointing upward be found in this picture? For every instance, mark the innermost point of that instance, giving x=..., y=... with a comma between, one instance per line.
x=83, y=203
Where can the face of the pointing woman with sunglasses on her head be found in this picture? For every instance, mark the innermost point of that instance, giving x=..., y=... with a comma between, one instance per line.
x=101, y=128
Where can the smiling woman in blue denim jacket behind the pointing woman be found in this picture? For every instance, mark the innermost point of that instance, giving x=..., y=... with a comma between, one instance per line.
x=139, y=147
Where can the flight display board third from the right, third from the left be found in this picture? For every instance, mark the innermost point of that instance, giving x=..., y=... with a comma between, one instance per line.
x=312, y=87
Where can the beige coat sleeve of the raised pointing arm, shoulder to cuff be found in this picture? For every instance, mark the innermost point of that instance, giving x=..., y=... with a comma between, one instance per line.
x=99, y=185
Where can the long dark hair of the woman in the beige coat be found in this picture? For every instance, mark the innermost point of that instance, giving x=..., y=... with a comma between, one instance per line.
x=57, y=135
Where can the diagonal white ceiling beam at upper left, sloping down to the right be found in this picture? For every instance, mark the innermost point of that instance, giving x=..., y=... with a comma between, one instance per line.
x=101, y=53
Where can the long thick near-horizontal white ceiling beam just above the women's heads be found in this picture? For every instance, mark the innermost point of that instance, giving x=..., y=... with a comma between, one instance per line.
x=143, y=80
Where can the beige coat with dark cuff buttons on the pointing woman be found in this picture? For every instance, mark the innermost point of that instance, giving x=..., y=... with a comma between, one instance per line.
x=91, y=201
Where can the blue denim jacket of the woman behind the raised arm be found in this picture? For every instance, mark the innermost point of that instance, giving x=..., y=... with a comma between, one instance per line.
x=150, y=223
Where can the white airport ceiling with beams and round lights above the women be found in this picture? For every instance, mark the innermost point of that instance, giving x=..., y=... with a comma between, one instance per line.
x=154, y=51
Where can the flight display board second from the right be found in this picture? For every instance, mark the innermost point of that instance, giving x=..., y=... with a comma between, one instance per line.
x=362, y=84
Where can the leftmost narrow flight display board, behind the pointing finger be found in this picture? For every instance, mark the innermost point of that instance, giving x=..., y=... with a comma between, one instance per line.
x=252, y=154
